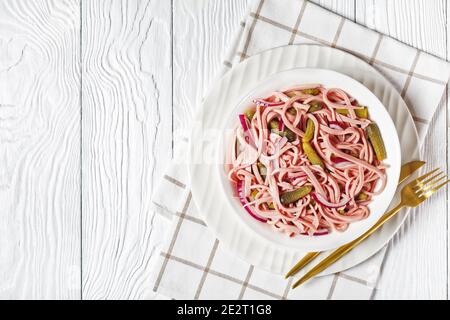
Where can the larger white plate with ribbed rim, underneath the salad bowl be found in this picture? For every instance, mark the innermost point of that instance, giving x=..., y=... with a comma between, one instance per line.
x=207, y=188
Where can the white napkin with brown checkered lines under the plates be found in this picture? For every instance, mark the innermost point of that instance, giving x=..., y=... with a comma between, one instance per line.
x=193, y=264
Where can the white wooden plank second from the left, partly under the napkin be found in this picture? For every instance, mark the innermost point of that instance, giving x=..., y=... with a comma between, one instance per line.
x=126, y=137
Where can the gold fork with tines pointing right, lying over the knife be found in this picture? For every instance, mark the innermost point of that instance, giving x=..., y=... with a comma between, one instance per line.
x=413, y=194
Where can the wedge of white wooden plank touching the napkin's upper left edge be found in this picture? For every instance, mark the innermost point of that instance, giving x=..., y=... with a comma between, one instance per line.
x=203, y=30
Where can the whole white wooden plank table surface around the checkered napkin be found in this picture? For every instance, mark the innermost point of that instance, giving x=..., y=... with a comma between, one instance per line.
x=91, y=92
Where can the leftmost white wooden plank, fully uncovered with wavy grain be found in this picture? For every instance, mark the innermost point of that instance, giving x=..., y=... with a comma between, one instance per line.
x=39, y=150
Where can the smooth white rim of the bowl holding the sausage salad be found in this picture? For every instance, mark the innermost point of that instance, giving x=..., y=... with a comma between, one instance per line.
x=329, y=79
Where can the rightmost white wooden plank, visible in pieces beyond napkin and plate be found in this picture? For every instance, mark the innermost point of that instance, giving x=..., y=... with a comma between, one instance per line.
x=416, y=265
